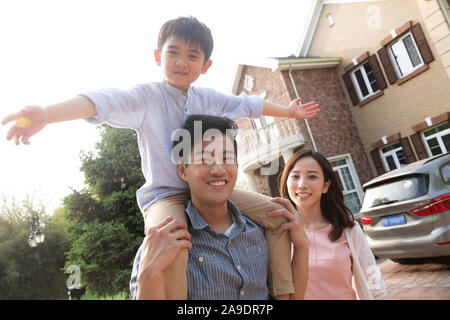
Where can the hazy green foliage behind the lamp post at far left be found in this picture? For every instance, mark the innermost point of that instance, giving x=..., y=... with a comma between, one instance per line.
x=19, y=267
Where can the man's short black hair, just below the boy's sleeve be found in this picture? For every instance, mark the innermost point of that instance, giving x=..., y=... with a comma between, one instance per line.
x=225, y=125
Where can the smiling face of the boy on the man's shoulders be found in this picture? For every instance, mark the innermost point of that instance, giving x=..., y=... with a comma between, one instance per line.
x=182, y=63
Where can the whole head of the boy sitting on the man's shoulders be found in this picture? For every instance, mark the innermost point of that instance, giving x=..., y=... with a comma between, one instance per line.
x=184, y=50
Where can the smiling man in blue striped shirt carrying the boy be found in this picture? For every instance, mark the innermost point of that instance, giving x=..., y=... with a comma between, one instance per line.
x=228, y=256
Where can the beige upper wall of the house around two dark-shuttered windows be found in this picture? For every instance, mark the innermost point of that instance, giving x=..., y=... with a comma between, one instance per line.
x=359, y=27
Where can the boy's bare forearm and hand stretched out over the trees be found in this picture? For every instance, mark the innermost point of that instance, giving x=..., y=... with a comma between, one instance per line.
x=32, y=119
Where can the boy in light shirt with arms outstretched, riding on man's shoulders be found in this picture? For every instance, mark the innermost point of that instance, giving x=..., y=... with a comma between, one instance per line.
x=154, y=111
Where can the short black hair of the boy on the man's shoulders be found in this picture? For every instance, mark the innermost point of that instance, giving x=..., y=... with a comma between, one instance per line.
x=190, y=30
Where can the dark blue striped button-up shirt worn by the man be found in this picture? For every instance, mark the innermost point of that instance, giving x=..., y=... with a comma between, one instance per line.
x=222, y=267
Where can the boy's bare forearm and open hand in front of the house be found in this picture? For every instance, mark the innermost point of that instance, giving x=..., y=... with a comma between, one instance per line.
x=294, y=110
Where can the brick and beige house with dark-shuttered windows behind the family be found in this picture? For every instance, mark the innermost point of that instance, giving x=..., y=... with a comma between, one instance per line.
x=379, y=70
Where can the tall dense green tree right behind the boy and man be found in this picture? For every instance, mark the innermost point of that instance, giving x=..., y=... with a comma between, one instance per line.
x=106, y=225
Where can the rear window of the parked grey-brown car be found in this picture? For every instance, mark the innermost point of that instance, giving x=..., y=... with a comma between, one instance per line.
x=395, y=190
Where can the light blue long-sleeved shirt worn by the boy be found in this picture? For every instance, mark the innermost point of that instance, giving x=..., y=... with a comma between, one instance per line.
x=154, y=111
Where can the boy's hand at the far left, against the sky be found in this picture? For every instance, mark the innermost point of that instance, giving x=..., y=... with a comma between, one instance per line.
x=29, y=121
